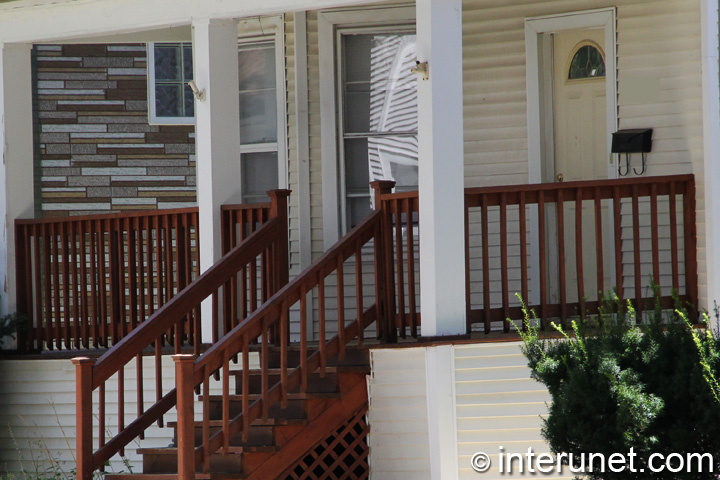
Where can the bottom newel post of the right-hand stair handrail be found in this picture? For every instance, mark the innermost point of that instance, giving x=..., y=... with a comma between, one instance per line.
x=185, y=388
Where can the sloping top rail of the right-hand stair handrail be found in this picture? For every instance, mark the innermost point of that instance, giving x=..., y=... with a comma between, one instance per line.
x=213, y=355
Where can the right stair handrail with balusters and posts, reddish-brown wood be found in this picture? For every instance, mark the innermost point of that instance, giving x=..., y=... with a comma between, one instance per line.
x=271, y=321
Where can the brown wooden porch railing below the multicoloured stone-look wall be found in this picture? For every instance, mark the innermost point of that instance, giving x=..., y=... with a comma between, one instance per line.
x=87, y=282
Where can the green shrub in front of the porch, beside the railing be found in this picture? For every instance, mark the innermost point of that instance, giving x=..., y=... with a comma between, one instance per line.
x=617, y=385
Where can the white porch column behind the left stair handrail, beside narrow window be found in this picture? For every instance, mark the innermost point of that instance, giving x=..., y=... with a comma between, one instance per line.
x=217, y=135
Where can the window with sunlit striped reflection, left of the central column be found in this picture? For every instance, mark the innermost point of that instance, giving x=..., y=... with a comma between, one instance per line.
x=379, y=116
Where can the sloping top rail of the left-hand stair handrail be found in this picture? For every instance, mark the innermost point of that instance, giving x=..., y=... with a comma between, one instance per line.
x=164, y=318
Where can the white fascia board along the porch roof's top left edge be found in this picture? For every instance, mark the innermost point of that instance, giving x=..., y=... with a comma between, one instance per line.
x=36, y=21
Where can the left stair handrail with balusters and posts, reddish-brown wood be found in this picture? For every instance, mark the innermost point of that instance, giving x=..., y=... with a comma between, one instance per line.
x=269, y=241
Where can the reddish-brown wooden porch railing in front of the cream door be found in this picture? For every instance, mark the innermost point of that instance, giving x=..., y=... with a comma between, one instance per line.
x=579, y=240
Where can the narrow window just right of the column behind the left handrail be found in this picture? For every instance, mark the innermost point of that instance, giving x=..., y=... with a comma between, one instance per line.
x=258, y=120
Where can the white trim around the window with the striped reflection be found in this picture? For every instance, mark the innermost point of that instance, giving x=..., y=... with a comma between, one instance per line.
x=329, y=22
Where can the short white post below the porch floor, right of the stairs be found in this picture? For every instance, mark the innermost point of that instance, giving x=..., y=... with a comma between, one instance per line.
x=441, y=408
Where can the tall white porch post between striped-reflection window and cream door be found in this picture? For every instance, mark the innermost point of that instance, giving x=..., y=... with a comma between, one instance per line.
x=441, y=180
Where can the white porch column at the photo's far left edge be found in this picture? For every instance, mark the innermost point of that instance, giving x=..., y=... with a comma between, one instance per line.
x=16, y=168
